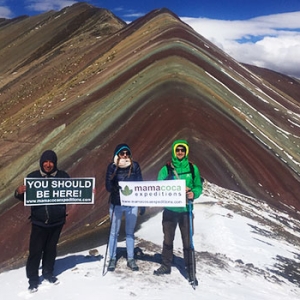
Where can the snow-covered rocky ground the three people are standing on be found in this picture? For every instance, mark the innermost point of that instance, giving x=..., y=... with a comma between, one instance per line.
x=244, y=250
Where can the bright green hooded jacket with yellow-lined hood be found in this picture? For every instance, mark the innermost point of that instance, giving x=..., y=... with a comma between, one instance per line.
x=183, y=170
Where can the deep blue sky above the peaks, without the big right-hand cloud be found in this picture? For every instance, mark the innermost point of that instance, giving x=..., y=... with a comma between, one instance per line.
x=213, y=9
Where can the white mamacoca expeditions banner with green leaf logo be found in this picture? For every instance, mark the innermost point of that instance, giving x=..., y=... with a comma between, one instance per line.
x=153, y=193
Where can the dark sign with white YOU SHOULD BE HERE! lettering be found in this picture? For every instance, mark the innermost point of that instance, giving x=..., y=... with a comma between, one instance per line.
x=41, y=191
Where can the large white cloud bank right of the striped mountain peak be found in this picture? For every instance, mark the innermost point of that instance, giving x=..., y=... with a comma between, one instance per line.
x=269, y=41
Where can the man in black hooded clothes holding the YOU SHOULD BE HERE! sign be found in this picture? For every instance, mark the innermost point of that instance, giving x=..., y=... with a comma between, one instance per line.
x=46, y=224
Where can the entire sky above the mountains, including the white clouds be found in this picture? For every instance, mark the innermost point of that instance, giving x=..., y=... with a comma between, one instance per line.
x=265, y=33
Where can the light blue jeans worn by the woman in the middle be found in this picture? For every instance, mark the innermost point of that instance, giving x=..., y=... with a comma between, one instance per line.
x=116, y=214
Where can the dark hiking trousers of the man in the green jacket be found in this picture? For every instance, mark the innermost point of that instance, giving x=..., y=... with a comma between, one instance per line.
x=169, y=223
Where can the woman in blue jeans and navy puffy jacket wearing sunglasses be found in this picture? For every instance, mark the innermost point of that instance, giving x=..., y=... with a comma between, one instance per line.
x=123, y=168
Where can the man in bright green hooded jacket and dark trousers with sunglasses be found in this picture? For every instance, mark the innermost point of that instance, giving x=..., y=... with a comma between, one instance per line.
x=179, y=168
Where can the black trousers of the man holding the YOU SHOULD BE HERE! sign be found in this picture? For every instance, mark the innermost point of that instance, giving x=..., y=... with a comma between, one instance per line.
x=42, y=246
